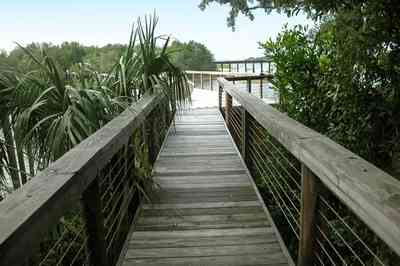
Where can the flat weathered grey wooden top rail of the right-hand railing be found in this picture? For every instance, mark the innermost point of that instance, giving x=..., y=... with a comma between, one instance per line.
x=367, y=191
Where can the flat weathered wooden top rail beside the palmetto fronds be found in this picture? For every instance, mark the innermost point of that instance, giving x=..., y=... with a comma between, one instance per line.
x=27, y=214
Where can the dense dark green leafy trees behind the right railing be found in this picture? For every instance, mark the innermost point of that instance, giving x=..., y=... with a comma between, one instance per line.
x=341, y=77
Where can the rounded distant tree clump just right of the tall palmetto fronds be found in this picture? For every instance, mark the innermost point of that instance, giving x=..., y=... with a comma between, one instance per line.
x=192, y=56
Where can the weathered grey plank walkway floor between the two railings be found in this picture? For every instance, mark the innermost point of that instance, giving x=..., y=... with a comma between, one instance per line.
x=207, y=211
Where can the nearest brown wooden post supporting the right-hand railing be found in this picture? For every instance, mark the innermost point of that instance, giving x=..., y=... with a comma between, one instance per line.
x=309, y=195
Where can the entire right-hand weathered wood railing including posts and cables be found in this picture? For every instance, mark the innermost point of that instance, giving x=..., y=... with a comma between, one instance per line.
x=331, y=206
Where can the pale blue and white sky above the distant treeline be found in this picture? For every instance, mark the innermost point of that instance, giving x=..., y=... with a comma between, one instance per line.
x=99, y=22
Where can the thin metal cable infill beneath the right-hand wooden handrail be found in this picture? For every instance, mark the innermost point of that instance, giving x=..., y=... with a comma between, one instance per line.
x=340, y=238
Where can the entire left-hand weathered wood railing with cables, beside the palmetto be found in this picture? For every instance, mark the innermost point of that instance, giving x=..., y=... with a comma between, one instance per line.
x=78, y=210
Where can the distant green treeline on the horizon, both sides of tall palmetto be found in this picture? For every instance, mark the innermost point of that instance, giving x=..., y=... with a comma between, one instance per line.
x=190, y=55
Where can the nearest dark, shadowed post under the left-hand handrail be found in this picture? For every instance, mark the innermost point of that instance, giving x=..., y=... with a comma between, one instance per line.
x=94, y=221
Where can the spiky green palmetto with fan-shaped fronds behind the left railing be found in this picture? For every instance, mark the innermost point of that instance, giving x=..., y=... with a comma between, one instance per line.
x=51, y=110
